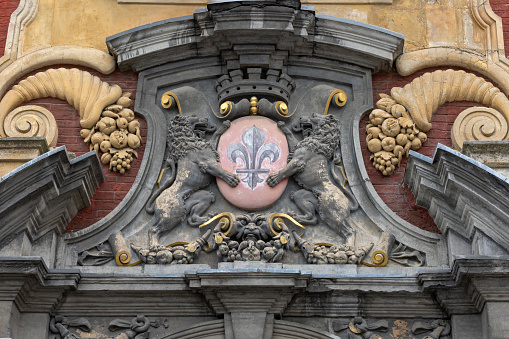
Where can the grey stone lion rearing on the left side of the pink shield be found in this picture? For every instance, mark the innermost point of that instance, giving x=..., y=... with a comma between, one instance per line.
x=193, y=163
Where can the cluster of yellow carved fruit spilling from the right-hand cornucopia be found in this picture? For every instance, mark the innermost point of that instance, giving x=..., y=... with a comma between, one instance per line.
x=390, y=134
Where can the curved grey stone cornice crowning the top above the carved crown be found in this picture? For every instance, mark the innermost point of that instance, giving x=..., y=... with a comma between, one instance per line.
x=304, y=33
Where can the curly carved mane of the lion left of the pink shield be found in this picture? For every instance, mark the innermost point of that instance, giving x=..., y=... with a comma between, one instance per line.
x=181, y=139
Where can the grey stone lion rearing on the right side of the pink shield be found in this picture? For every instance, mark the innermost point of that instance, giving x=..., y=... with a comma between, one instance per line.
x=308, y=164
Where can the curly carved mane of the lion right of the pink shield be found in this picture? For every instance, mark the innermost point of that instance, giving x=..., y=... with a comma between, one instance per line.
x=323, y=139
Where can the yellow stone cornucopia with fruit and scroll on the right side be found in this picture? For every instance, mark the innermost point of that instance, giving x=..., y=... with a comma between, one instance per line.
x=401, y=120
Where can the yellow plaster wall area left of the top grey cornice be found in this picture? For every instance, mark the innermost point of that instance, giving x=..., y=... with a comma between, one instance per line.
x=87, y=23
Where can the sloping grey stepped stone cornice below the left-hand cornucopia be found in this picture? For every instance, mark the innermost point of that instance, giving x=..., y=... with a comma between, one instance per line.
x=44, y=194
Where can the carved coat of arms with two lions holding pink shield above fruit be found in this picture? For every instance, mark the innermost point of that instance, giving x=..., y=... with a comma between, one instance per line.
x=252, y=166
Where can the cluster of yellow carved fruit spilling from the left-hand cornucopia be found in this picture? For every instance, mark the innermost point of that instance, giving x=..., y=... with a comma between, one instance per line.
x=116, y=135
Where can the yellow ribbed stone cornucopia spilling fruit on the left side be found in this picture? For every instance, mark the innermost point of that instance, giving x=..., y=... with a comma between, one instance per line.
x=108, y=123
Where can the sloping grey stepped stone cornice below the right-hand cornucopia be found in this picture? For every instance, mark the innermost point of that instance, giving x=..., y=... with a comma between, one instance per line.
x=463, y=196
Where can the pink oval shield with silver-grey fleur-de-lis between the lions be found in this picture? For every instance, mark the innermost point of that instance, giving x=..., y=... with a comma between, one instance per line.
x=253, y=147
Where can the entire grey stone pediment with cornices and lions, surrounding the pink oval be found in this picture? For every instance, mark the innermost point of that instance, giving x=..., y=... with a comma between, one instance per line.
x=450, y=285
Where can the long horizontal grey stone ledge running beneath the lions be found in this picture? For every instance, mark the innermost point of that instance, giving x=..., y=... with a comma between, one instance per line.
x=459, y=290
